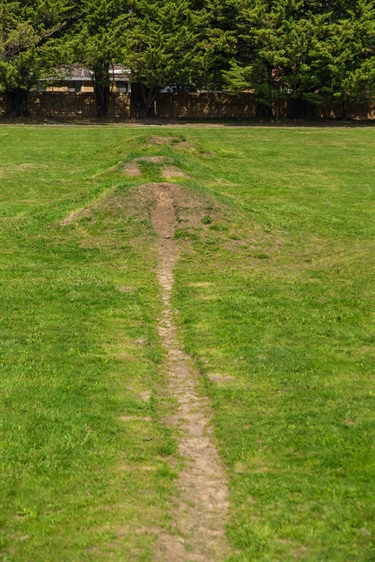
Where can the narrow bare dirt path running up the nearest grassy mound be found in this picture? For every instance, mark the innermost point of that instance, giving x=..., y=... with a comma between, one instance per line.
x=200, y=510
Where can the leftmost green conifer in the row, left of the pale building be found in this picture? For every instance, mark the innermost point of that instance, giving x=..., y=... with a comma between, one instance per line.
x=27, y=32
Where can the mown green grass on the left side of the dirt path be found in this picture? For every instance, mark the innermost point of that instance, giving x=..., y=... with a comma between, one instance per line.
x=85, y=472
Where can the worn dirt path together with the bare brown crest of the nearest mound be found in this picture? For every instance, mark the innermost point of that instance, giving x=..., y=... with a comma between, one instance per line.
x=199, y=511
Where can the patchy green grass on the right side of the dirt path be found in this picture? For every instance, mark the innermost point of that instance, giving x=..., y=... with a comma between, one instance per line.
x=276, y=305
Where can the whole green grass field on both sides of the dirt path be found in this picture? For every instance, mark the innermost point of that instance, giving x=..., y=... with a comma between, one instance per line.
x=274, y=300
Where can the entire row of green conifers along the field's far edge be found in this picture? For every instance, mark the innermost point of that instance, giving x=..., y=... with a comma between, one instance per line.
x=310, y=51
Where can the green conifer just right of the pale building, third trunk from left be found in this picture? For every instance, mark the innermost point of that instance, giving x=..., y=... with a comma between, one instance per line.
x=158, y=40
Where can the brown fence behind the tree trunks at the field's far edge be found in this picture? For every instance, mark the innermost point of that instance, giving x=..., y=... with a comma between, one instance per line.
x=202, y=105
